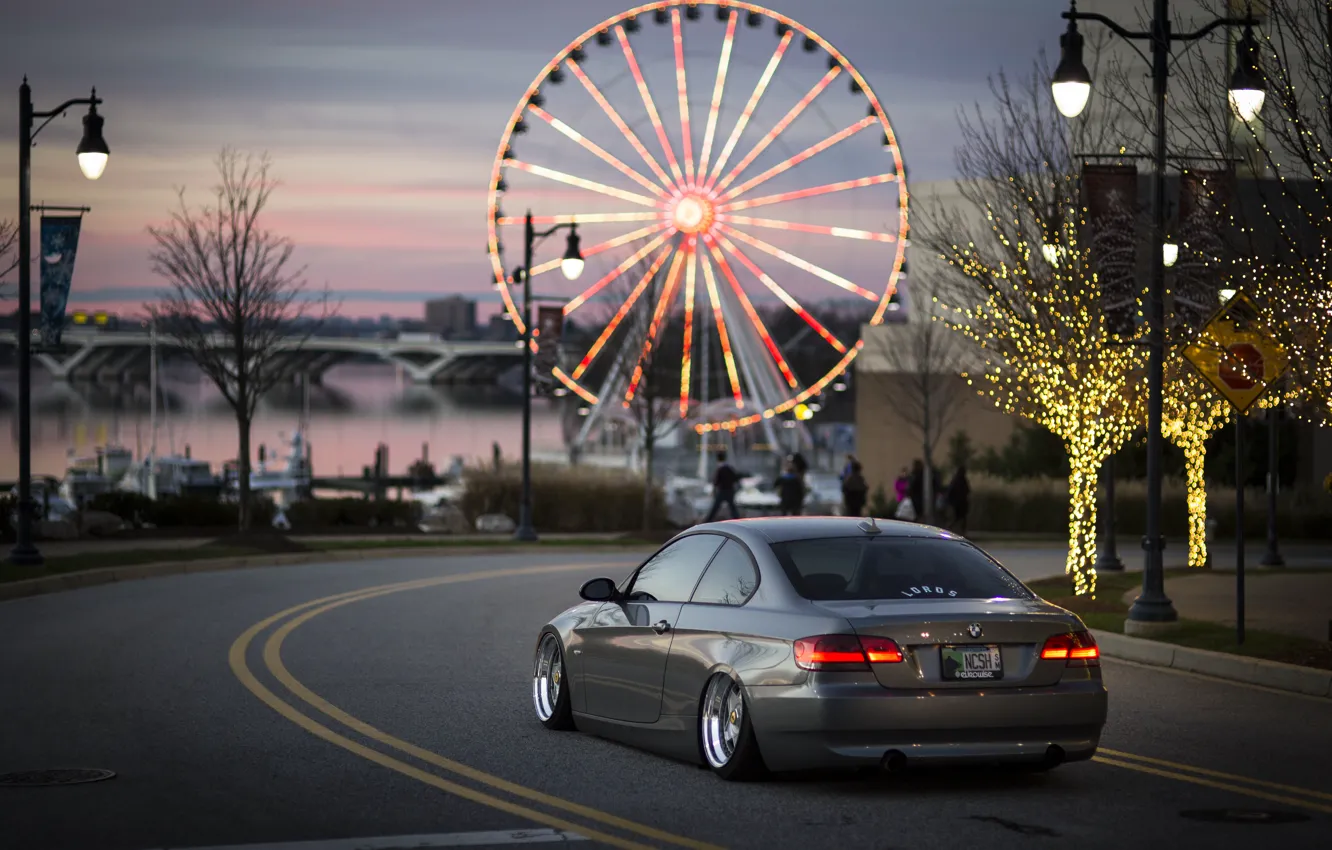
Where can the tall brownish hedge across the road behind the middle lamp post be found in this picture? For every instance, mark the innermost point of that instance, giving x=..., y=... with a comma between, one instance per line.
x=564, y=499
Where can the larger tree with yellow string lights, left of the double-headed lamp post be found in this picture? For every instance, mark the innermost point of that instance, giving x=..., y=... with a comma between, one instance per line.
x=1048, y=350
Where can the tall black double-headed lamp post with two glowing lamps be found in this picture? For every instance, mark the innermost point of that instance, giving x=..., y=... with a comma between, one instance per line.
x=1072, y=87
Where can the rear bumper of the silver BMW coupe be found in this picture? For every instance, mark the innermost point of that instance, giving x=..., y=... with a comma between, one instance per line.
x=857, y=724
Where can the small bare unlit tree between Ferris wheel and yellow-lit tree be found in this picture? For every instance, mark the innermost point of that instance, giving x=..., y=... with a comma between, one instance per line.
x=928, y=359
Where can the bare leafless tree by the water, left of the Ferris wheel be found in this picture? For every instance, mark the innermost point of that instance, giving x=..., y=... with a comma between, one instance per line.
x=236, y=306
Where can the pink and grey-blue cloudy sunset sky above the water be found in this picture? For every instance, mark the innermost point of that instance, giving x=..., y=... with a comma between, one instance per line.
x=383, y=119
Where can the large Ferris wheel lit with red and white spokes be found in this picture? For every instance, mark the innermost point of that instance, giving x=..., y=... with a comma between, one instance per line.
x=665, y=134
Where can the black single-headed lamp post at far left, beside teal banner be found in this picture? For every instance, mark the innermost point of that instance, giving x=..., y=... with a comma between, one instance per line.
x=93, y=161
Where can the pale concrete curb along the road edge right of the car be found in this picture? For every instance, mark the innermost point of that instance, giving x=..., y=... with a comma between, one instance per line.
x=1275, y=675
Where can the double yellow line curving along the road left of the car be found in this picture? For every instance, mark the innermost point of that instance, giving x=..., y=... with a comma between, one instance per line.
x=314, y=608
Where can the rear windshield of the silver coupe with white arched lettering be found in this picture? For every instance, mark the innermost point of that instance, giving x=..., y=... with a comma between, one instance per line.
x=894, y=568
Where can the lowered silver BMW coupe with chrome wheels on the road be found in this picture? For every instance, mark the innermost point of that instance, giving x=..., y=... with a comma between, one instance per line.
x=788, y=644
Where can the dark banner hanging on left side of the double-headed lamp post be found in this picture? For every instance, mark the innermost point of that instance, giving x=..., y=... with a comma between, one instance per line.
x=1110, y=195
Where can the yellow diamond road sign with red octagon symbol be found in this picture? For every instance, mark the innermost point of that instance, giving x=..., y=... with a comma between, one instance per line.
x=1238, y=355
